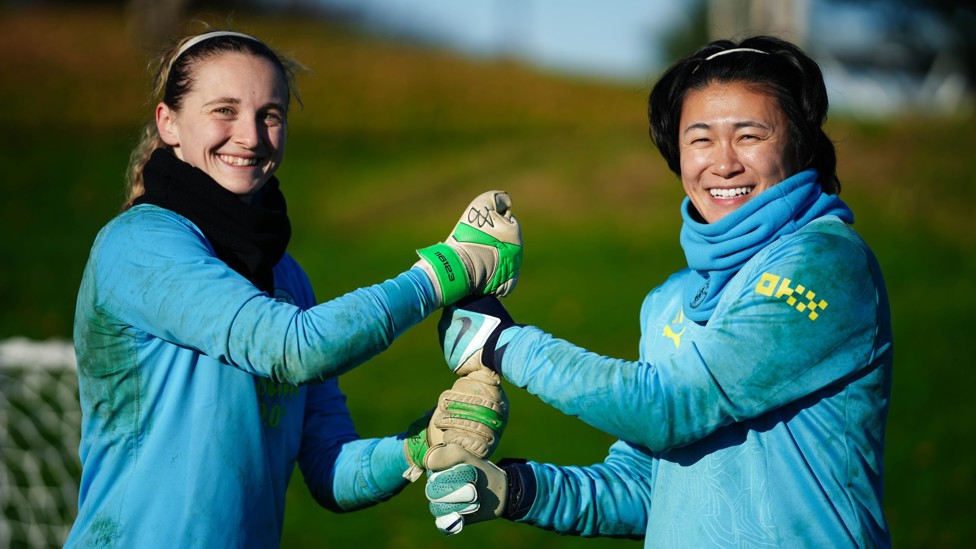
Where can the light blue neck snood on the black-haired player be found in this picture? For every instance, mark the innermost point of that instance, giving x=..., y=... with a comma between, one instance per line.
x=716, y=251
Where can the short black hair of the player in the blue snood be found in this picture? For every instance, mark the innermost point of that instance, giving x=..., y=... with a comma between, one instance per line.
x=786, y=73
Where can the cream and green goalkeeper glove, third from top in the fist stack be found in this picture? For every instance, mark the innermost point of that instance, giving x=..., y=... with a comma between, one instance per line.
x=473, y=414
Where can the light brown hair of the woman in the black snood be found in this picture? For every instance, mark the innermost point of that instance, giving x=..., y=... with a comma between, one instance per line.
x=174, y=77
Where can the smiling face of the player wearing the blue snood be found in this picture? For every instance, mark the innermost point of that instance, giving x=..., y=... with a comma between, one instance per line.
x=733, y=144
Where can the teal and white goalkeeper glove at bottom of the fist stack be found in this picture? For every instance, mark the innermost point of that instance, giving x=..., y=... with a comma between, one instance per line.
x=465, y=489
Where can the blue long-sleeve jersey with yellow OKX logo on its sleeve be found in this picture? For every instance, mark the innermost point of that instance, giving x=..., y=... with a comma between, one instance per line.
x=763, y=427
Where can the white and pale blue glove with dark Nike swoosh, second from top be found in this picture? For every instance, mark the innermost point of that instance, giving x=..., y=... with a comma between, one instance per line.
x=473, y=334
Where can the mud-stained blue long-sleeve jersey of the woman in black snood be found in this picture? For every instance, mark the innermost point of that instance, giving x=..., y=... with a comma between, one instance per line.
x=200, y=393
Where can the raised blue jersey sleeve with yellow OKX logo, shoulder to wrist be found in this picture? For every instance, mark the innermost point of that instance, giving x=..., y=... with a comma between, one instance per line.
x=801, y=315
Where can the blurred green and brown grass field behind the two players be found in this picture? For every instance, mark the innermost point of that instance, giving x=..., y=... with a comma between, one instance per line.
x=392, y=143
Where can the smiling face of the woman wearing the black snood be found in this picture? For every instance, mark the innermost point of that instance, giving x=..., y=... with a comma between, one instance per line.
x=231, y=124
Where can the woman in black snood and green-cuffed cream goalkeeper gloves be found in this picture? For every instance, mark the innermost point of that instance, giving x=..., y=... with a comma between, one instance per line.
x=207, y=368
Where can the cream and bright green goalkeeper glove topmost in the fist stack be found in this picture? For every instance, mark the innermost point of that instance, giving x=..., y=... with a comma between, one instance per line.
x=481, y=256
